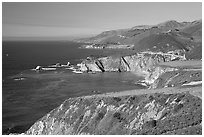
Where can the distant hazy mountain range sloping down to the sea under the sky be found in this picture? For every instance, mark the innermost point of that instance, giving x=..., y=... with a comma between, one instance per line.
x=166, y=36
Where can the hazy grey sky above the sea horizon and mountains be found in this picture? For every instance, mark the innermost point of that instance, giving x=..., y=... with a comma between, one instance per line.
x=78, y=19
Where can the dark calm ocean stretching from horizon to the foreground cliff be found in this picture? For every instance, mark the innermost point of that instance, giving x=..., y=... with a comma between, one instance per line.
x=28, y=95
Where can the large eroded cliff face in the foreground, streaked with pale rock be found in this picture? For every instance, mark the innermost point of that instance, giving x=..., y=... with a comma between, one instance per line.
x=158, y=113
